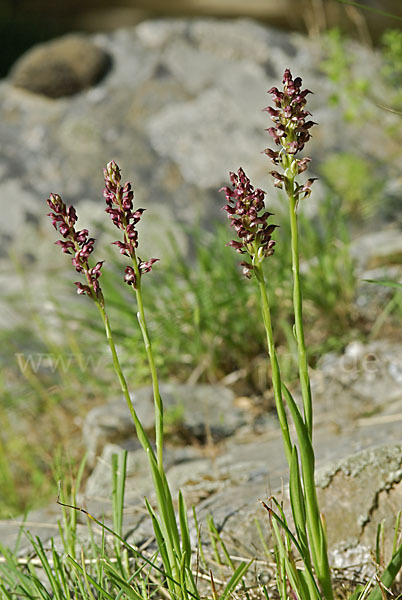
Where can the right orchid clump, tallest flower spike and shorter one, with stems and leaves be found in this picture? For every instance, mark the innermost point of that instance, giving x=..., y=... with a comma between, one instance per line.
x=249, y=218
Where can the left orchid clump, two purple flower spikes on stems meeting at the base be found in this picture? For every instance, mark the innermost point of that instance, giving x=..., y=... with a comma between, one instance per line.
x=173, y=539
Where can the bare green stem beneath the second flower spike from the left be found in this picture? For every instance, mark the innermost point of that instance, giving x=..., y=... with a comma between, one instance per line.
x=152, y=367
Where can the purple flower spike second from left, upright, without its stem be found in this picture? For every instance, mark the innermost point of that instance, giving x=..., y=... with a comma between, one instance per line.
x=120, y=208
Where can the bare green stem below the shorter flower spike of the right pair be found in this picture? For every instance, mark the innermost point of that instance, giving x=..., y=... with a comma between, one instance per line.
x=276, y=375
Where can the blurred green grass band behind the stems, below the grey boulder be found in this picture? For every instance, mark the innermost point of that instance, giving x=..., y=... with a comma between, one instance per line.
x=202, y=318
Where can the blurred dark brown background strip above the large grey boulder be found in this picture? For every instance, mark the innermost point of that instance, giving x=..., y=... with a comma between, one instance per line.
x=26, y=22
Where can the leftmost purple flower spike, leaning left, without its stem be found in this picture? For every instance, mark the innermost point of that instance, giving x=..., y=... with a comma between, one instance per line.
x=77, y=243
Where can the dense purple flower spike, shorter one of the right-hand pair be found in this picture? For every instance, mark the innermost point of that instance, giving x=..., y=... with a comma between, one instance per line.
x=246, y=211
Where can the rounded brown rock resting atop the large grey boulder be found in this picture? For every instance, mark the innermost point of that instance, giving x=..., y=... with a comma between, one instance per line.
x=61, y=67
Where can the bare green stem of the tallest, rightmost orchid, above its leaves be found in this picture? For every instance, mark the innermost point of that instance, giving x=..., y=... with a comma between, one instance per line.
x=298, y=310
